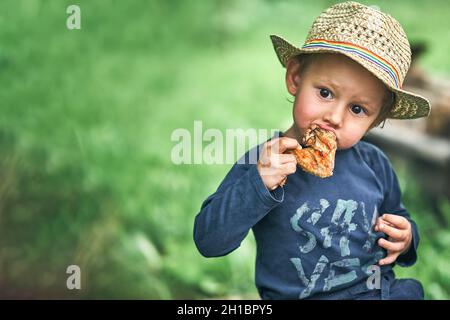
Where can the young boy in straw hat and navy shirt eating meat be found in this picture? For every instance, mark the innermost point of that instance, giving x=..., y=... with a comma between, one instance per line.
x=337, y=237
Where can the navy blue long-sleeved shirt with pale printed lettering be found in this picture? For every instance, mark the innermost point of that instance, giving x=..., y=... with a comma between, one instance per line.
x=314, y=236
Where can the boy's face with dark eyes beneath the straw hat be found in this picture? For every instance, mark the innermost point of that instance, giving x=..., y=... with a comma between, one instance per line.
x=337, y=94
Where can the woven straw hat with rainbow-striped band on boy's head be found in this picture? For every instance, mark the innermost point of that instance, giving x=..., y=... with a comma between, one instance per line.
x=370, y=37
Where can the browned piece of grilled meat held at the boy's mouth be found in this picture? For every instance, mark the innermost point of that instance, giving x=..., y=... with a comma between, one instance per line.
x=317, y=156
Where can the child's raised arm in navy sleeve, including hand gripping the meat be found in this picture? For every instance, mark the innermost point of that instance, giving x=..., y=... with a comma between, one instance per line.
x=242, y=199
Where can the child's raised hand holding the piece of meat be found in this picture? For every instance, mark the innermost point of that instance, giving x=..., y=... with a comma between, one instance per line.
x=274, y=166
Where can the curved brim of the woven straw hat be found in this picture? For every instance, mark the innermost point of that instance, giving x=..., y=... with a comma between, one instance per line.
x=407, y=105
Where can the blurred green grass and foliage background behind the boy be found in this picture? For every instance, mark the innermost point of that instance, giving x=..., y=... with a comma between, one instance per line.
x=85, y=126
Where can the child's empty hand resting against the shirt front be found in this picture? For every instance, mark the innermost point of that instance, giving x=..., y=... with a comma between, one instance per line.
x=400, y=236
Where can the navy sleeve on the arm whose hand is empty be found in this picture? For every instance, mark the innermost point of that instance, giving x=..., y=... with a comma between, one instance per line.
x=392, y=204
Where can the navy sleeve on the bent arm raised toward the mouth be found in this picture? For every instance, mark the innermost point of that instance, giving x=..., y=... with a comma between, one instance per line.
x=227, y=215
